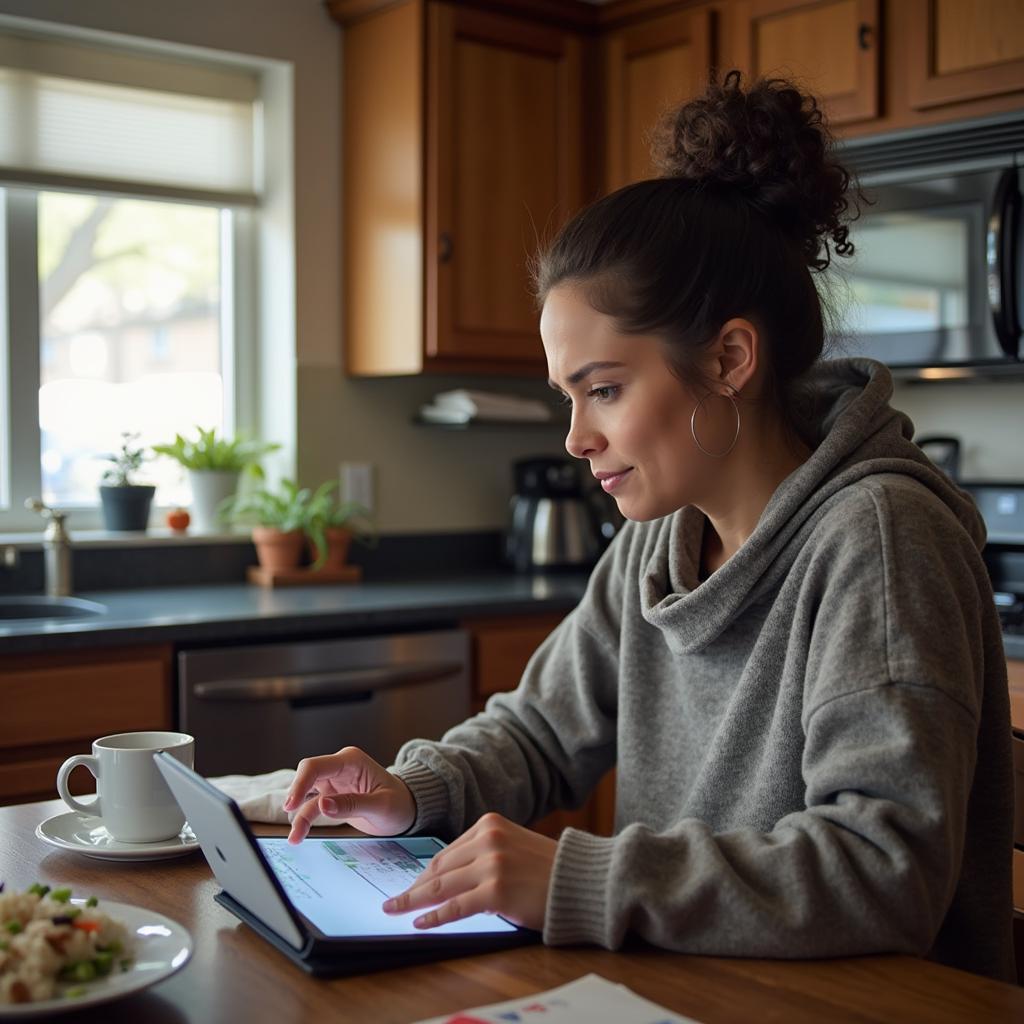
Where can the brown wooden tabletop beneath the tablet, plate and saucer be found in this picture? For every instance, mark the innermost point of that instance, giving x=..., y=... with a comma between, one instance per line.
x=235, y=976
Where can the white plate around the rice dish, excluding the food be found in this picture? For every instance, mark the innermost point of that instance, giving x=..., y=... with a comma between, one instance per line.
x=161, y=948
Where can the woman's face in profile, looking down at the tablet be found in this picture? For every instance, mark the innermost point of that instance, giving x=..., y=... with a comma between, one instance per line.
x=631, y=415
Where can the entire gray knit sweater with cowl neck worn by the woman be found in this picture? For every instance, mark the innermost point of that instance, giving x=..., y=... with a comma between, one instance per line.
x=813, y=746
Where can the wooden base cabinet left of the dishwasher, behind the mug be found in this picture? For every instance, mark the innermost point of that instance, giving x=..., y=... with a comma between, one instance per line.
x=56, y=705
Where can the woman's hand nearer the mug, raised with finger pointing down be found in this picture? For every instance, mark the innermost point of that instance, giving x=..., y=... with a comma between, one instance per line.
x=352, y=787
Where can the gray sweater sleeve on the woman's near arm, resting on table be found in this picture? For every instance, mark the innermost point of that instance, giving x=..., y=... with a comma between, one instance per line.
x=871, y=864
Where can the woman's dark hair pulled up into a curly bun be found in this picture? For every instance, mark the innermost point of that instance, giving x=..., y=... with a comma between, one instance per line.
x=751, y=202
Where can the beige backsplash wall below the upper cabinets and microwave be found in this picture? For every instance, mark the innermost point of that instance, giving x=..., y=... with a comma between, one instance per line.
x=431, y=480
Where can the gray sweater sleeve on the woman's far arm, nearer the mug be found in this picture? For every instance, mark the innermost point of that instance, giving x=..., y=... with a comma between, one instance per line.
x=546, y=745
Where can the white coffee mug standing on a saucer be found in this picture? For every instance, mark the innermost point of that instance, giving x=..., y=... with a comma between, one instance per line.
x=133, y=799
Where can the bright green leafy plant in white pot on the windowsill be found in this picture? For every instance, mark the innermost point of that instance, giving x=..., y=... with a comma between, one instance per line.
x=215, y=465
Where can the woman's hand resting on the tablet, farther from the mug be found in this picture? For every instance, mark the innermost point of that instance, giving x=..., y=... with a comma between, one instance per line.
x=495, y=868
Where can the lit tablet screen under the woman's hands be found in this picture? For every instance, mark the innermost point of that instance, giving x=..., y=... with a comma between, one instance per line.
x=340, y=884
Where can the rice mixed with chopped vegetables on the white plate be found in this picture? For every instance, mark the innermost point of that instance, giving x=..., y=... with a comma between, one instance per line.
x=47, y=941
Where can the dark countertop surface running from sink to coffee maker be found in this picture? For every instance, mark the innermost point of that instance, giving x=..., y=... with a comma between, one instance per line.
x=241, y=613
